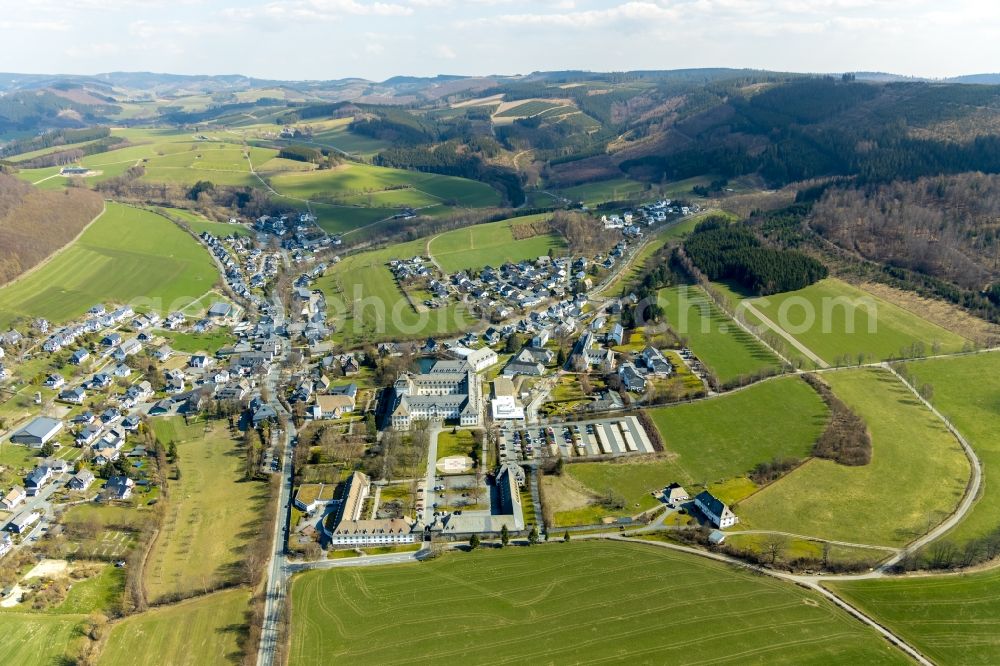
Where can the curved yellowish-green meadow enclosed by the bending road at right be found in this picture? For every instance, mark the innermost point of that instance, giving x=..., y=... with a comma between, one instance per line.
x=911, y=452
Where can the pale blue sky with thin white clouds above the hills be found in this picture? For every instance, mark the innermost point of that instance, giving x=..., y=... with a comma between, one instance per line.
x=376, y=39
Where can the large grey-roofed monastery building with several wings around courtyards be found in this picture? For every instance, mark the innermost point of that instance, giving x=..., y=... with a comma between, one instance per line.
x=451, y=390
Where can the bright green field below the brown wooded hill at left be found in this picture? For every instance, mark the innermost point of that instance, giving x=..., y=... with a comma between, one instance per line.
x=127, y=256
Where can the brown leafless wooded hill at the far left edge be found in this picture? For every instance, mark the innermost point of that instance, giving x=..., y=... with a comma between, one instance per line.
x=35, y=223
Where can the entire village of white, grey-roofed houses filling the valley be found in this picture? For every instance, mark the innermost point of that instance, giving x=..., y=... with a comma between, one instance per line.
x=478, y=415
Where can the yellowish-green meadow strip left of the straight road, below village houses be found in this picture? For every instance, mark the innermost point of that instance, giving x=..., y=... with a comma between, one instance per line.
x=212, y=513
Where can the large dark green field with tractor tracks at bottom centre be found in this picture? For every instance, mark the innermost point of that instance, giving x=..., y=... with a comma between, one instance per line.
x=570, y=603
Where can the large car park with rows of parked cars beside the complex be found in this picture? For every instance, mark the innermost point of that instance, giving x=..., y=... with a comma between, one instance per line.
x=599, y=437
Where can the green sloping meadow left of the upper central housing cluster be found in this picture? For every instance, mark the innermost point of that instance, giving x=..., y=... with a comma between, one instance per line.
x=366, y=304
